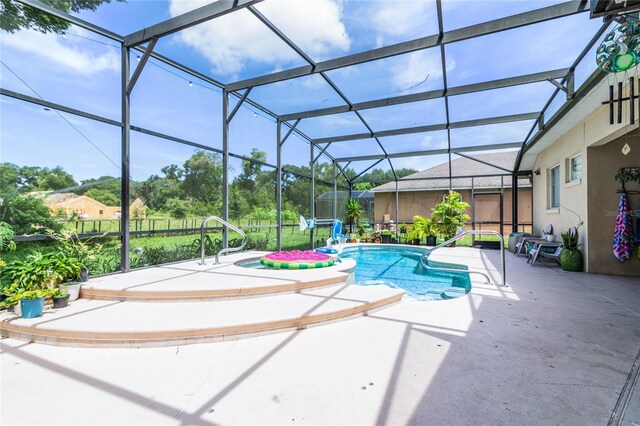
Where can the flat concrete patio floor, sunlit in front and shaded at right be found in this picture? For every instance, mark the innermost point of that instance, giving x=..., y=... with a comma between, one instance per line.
x=552, y=348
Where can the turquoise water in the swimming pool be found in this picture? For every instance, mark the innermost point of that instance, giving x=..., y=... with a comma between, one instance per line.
x=400, y=267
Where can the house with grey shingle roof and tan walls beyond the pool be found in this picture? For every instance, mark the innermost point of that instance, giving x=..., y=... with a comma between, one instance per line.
x=420, y=192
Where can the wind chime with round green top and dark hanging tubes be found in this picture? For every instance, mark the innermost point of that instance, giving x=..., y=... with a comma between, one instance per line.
x=618, y=52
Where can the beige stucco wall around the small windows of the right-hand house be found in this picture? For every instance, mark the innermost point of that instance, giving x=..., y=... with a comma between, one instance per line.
x=593, y=131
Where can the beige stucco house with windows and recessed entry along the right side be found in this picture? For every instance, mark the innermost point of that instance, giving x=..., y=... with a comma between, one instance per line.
x=574, y=162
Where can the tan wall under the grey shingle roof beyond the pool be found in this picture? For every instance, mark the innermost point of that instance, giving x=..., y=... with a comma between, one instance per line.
x=413, y=203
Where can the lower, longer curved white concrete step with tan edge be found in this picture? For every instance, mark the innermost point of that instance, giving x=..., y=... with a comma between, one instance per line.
x=93, y=323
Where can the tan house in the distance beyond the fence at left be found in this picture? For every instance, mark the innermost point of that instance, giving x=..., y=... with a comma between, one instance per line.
x=87, y=208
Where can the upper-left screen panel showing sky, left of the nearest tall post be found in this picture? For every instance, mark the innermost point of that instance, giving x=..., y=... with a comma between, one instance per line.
x=78, y=69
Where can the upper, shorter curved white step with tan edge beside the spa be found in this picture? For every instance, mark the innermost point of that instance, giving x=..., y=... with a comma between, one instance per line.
x=189, y=281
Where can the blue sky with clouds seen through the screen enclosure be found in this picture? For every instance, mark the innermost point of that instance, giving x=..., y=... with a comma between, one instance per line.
x=81, y=70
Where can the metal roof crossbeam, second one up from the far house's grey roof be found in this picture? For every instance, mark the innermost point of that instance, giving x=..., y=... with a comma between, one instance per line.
x=432, y=128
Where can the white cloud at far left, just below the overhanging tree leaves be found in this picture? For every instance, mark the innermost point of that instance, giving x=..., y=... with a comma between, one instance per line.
x=62, y=52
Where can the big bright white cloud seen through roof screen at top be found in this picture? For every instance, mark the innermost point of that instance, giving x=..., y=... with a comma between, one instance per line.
x=232, y=41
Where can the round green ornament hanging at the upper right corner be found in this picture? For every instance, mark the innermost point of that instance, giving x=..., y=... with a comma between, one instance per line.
x=620, y=49
